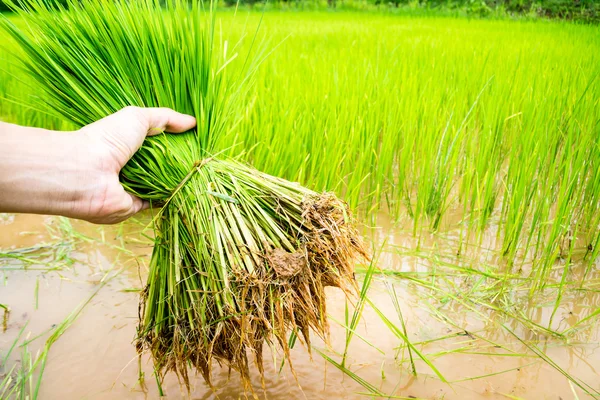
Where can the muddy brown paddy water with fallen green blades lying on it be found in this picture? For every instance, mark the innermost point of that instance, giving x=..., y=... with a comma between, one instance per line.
x=483, y=349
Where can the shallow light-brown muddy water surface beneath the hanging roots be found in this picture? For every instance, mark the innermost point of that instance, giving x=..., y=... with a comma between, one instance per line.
x=95, y=358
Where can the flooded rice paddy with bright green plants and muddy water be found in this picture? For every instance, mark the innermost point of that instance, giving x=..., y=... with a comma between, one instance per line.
x=470, y=151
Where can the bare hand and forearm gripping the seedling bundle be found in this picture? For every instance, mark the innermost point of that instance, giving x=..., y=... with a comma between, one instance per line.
x=76, y=174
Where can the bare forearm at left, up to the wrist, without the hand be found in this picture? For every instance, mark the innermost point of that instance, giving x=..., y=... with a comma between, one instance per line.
x=39, y=171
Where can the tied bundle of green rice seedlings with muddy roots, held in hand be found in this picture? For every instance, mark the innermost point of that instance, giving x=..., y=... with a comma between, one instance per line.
x=240, y=258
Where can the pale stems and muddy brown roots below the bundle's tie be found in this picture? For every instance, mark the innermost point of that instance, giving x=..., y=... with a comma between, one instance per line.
x=274, y=273
